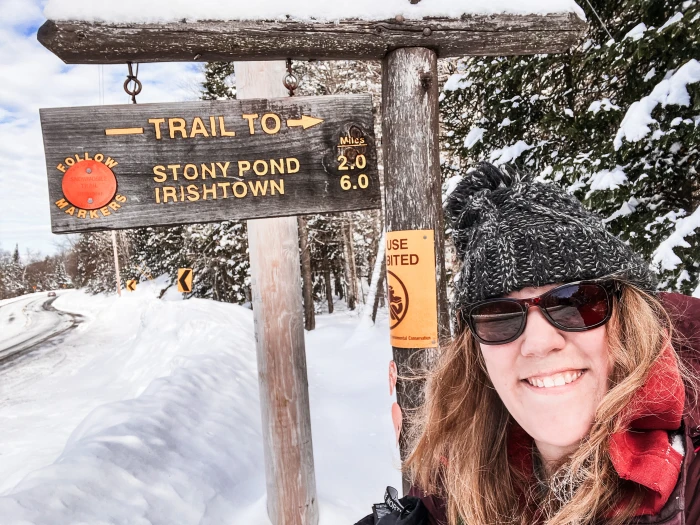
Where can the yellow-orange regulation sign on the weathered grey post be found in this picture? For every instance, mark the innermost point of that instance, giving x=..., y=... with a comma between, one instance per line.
x=410, y=264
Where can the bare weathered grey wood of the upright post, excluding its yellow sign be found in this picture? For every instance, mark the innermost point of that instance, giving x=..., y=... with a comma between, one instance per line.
x=413, y=190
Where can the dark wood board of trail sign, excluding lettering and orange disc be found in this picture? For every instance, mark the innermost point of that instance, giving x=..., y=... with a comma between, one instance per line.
x=315, y=188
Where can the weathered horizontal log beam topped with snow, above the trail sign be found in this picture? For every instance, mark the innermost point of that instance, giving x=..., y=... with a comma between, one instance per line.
x=77, y=42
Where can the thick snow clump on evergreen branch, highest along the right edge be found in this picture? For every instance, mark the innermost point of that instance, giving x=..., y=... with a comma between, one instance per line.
x=672, y=90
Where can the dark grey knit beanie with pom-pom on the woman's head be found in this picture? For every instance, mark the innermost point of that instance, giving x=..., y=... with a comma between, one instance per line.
x=513, y=232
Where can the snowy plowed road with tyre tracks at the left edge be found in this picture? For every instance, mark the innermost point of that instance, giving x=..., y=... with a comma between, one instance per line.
x=28, y=321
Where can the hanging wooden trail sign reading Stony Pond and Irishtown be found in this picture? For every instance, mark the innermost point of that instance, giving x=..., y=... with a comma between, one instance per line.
x=131, y=166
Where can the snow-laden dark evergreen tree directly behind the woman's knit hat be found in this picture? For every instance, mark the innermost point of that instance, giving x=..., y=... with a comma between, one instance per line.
x=600, y=121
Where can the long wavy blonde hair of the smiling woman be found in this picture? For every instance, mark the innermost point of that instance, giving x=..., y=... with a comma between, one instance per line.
x=459, y=435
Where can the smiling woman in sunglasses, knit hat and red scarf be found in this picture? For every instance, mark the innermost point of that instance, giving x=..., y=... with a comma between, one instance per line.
x=561, y=400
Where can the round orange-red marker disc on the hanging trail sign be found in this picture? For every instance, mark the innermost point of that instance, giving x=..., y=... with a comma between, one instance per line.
x=89, y=185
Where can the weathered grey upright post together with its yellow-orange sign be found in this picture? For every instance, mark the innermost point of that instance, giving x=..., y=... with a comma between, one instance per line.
x=412, y=182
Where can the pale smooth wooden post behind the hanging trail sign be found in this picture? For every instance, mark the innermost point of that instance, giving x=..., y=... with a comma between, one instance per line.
x=273, y=245
